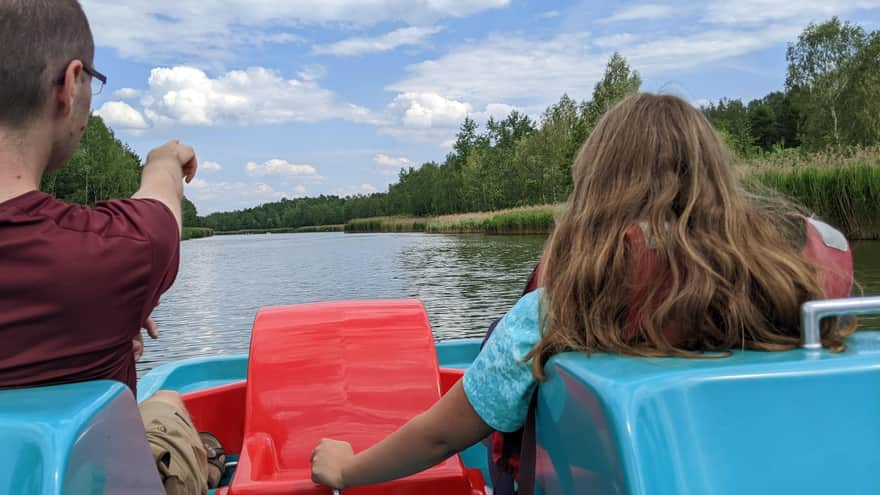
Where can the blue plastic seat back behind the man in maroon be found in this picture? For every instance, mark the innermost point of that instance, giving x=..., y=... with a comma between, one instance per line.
x=79, y=439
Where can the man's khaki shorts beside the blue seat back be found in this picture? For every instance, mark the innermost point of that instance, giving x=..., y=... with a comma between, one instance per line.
x=177, y=449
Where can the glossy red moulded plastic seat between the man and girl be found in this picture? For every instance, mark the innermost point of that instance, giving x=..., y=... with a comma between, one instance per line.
x=354, y=371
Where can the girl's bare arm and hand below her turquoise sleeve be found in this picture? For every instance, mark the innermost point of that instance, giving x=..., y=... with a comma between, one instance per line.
x=450, y=426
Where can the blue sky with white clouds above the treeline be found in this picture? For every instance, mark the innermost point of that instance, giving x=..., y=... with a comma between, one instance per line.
x=291, y=98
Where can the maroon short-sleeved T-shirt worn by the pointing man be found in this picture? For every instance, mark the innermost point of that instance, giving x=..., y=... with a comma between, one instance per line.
x=77, y=283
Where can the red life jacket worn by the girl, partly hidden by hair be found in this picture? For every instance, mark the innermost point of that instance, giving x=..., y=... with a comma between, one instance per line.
x=826, y=247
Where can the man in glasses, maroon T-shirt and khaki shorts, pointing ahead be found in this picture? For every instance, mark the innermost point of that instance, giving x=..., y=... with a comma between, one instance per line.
x=77, y=284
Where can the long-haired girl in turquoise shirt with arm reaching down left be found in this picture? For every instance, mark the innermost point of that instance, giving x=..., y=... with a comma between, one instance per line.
x=658, y=253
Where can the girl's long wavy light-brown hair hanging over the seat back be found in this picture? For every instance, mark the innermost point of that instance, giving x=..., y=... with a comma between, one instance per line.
x=729, y=269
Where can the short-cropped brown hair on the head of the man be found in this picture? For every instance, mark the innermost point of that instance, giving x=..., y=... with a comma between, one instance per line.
x=38, y=38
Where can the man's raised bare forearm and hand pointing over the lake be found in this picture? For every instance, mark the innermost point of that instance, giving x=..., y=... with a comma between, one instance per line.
x=163, y=174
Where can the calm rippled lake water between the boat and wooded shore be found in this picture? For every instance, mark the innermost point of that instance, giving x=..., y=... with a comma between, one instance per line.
x=465, y=281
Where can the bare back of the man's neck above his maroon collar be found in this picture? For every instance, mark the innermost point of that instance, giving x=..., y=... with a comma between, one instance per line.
x=23, y=159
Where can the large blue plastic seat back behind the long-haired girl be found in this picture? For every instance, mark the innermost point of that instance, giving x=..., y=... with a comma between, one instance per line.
x=805, y=422
